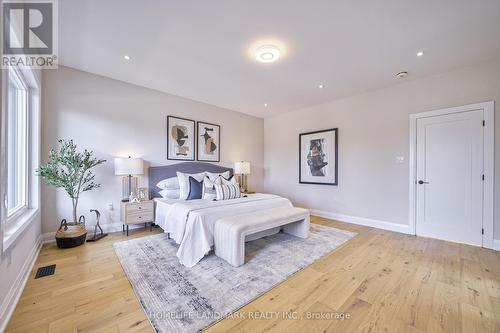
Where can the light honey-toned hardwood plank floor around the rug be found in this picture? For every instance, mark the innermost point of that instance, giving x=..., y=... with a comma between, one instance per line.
x=383, y=282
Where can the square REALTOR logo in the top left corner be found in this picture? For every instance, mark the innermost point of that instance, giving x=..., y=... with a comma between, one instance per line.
x=29, y=34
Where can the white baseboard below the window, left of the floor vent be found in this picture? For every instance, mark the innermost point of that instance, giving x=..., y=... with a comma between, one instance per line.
x=9, y=303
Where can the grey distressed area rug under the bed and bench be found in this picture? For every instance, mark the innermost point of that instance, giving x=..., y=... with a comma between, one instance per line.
x=181, y=299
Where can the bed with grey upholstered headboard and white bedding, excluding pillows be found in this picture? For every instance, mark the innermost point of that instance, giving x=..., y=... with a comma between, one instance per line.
x=190, y=223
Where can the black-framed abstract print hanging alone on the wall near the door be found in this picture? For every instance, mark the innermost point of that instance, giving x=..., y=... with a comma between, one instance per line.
x=318, y=157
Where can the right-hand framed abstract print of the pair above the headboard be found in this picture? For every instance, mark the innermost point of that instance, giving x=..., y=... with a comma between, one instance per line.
x=208, y=136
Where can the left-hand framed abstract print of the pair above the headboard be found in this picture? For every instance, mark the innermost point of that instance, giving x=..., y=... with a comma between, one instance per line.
x=180, y=139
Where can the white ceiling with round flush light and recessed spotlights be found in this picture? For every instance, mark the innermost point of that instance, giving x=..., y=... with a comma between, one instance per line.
x=199, y=49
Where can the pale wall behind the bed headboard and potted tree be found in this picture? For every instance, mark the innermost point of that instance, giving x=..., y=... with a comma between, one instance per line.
x=113, y=118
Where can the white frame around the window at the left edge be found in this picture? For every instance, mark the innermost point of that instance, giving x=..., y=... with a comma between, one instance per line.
x=14, y=214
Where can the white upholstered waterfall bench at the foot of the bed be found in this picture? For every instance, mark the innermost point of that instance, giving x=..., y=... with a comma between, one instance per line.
x=230, y=232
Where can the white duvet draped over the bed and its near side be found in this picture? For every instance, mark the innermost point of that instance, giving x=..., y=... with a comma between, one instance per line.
x=191, y=223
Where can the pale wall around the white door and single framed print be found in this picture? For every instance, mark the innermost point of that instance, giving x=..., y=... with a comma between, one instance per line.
x=373, y=130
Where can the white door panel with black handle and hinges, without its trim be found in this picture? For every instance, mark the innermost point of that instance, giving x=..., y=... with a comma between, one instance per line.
x=450, y=177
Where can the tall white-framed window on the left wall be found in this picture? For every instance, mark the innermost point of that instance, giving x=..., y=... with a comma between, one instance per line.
x=17, y=145
